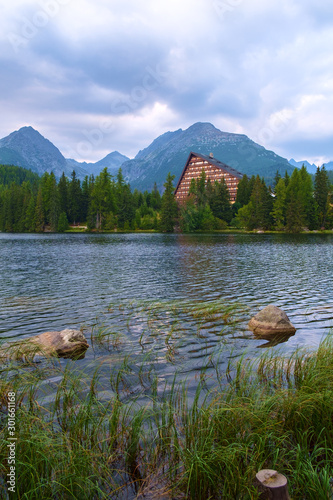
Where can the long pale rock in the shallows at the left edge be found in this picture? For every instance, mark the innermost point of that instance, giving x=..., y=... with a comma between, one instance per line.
x=65, y=344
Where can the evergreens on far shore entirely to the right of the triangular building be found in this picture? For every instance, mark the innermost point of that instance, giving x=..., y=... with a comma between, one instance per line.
x=296, y=202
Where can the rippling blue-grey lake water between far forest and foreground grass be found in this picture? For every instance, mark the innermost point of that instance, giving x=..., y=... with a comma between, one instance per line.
x=142, y=288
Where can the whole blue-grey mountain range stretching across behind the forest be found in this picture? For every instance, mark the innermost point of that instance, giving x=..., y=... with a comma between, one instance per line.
x=168, y=153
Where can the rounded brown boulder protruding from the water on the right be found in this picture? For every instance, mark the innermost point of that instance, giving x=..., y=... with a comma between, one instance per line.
x=271, y=321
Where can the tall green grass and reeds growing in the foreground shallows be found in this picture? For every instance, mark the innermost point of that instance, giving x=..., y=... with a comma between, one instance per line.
x=137, y=434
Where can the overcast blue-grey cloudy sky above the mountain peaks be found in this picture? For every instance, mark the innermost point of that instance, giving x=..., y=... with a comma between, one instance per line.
x=95, y=76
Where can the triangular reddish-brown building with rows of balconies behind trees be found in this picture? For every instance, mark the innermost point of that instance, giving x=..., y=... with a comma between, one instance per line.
x=214, y=169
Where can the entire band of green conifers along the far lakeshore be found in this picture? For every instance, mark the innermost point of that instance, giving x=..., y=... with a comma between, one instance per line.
x=29, y=203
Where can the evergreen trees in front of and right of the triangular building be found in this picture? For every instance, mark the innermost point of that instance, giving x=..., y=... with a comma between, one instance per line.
x=295, y=203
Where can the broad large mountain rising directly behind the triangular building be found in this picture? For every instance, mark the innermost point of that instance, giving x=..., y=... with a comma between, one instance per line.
x=169, y=152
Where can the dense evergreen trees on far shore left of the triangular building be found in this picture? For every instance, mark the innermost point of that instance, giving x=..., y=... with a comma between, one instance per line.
x=103, y=203
